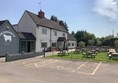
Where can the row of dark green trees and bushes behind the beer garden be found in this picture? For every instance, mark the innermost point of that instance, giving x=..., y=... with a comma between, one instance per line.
x=90, y=39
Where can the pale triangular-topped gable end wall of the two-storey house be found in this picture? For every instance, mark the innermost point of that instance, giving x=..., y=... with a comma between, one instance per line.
x=26, y=24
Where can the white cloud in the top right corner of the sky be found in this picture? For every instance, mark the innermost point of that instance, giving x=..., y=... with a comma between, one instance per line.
x=107, y=8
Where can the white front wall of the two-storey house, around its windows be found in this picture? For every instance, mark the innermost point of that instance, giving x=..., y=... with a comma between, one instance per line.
x=49, y=37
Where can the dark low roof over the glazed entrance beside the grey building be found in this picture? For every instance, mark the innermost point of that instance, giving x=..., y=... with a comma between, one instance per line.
x=26, y=36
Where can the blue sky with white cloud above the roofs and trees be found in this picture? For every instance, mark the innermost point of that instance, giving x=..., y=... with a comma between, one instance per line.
x=99, y=17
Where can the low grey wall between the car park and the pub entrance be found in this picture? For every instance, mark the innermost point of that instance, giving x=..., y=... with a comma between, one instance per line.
x=13, y=57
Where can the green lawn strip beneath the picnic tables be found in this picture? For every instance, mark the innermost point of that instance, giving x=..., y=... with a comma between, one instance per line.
x=100, y=57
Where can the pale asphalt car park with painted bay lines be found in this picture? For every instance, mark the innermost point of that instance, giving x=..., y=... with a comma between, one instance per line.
x=42, y=70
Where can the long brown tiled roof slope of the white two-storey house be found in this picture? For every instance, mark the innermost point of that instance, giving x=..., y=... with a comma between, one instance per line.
x=46, y=22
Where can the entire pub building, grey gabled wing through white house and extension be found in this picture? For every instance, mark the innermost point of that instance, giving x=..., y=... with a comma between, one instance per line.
x=33, y=33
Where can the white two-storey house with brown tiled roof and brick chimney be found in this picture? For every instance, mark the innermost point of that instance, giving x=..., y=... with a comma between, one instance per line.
x=47, y=32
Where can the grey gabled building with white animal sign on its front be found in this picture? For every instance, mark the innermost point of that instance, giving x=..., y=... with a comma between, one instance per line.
x=9, y=39
